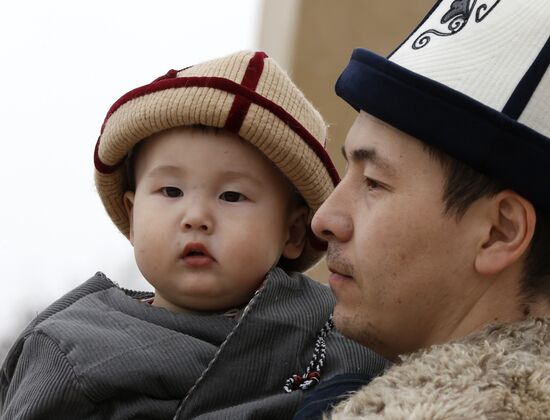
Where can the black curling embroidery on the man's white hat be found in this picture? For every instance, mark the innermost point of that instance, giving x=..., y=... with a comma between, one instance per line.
x=456, y=19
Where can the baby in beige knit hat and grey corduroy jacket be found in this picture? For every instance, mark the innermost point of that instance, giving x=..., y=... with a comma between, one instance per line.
x=213, y=173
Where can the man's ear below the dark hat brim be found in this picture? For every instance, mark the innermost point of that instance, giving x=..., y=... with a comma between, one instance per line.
x=509, y=232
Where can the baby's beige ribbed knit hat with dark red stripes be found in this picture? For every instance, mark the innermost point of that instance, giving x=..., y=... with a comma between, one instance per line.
x=246, y=93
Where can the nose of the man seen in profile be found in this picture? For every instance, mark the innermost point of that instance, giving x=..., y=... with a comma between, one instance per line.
x=332, y=221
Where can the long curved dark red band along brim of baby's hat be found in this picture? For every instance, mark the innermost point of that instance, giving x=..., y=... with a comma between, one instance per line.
x=229, y=86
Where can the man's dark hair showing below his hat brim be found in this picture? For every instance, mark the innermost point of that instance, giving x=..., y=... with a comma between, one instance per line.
x=464, y=185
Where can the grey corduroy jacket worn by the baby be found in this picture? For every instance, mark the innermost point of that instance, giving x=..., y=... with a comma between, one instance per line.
x=100, y=352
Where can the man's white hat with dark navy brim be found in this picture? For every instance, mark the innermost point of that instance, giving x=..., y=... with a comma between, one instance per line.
x=472, y=80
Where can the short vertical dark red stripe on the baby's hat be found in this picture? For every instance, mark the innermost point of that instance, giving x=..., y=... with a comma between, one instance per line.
x=241, y=104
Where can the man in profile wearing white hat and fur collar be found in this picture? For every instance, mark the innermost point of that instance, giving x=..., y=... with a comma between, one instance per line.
x=439, y=232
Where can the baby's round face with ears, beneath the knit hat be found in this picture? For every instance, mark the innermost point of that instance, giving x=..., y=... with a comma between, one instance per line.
x=210, y=216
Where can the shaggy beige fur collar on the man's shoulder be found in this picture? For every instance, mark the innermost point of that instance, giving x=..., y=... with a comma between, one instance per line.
x=500, y=372
